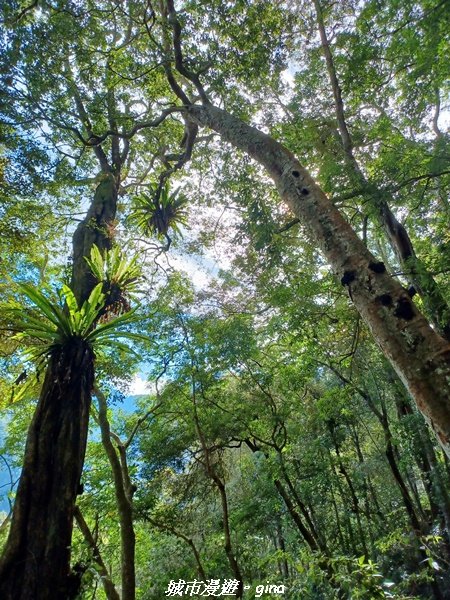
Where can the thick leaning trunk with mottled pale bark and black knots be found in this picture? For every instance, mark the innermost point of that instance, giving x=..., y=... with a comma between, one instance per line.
x=420, y=356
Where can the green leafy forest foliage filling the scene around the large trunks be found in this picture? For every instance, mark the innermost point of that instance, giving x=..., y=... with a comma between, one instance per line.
x=267, y=374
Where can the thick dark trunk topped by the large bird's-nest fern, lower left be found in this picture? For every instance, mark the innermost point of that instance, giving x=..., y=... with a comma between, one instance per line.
x=36, y=561
